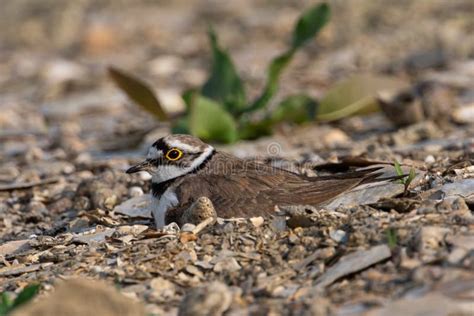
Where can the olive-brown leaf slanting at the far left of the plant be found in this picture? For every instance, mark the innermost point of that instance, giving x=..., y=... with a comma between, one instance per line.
x=138, y=91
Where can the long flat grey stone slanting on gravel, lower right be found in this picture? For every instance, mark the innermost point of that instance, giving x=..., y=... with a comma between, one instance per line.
x=351, y=263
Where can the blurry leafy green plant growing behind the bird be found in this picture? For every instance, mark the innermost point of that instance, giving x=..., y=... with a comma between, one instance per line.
x=219, y=110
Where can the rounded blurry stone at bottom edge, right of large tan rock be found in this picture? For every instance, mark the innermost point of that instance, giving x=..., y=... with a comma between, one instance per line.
x=212, y=299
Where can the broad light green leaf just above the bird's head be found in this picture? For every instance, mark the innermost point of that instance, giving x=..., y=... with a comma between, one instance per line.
x=208, y=120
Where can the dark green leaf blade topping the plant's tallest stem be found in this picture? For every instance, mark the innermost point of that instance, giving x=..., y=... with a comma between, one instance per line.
x=310, y=23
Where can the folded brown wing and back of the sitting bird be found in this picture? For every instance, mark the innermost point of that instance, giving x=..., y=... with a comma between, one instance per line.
x=256, y=190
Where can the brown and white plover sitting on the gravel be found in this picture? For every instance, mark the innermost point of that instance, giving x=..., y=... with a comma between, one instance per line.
x=184, y=169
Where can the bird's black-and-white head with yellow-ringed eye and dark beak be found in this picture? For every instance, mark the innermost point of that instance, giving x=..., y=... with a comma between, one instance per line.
x=173, y=156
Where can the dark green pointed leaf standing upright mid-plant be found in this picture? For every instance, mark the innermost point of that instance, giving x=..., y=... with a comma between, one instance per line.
x=224, y=84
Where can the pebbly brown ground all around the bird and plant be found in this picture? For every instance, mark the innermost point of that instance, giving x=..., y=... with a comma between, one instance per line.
x=67, y=135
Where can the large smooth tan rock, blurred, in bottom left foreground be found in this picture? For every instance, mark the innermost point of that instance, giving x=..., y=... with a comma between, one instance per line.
x=82, y=297
